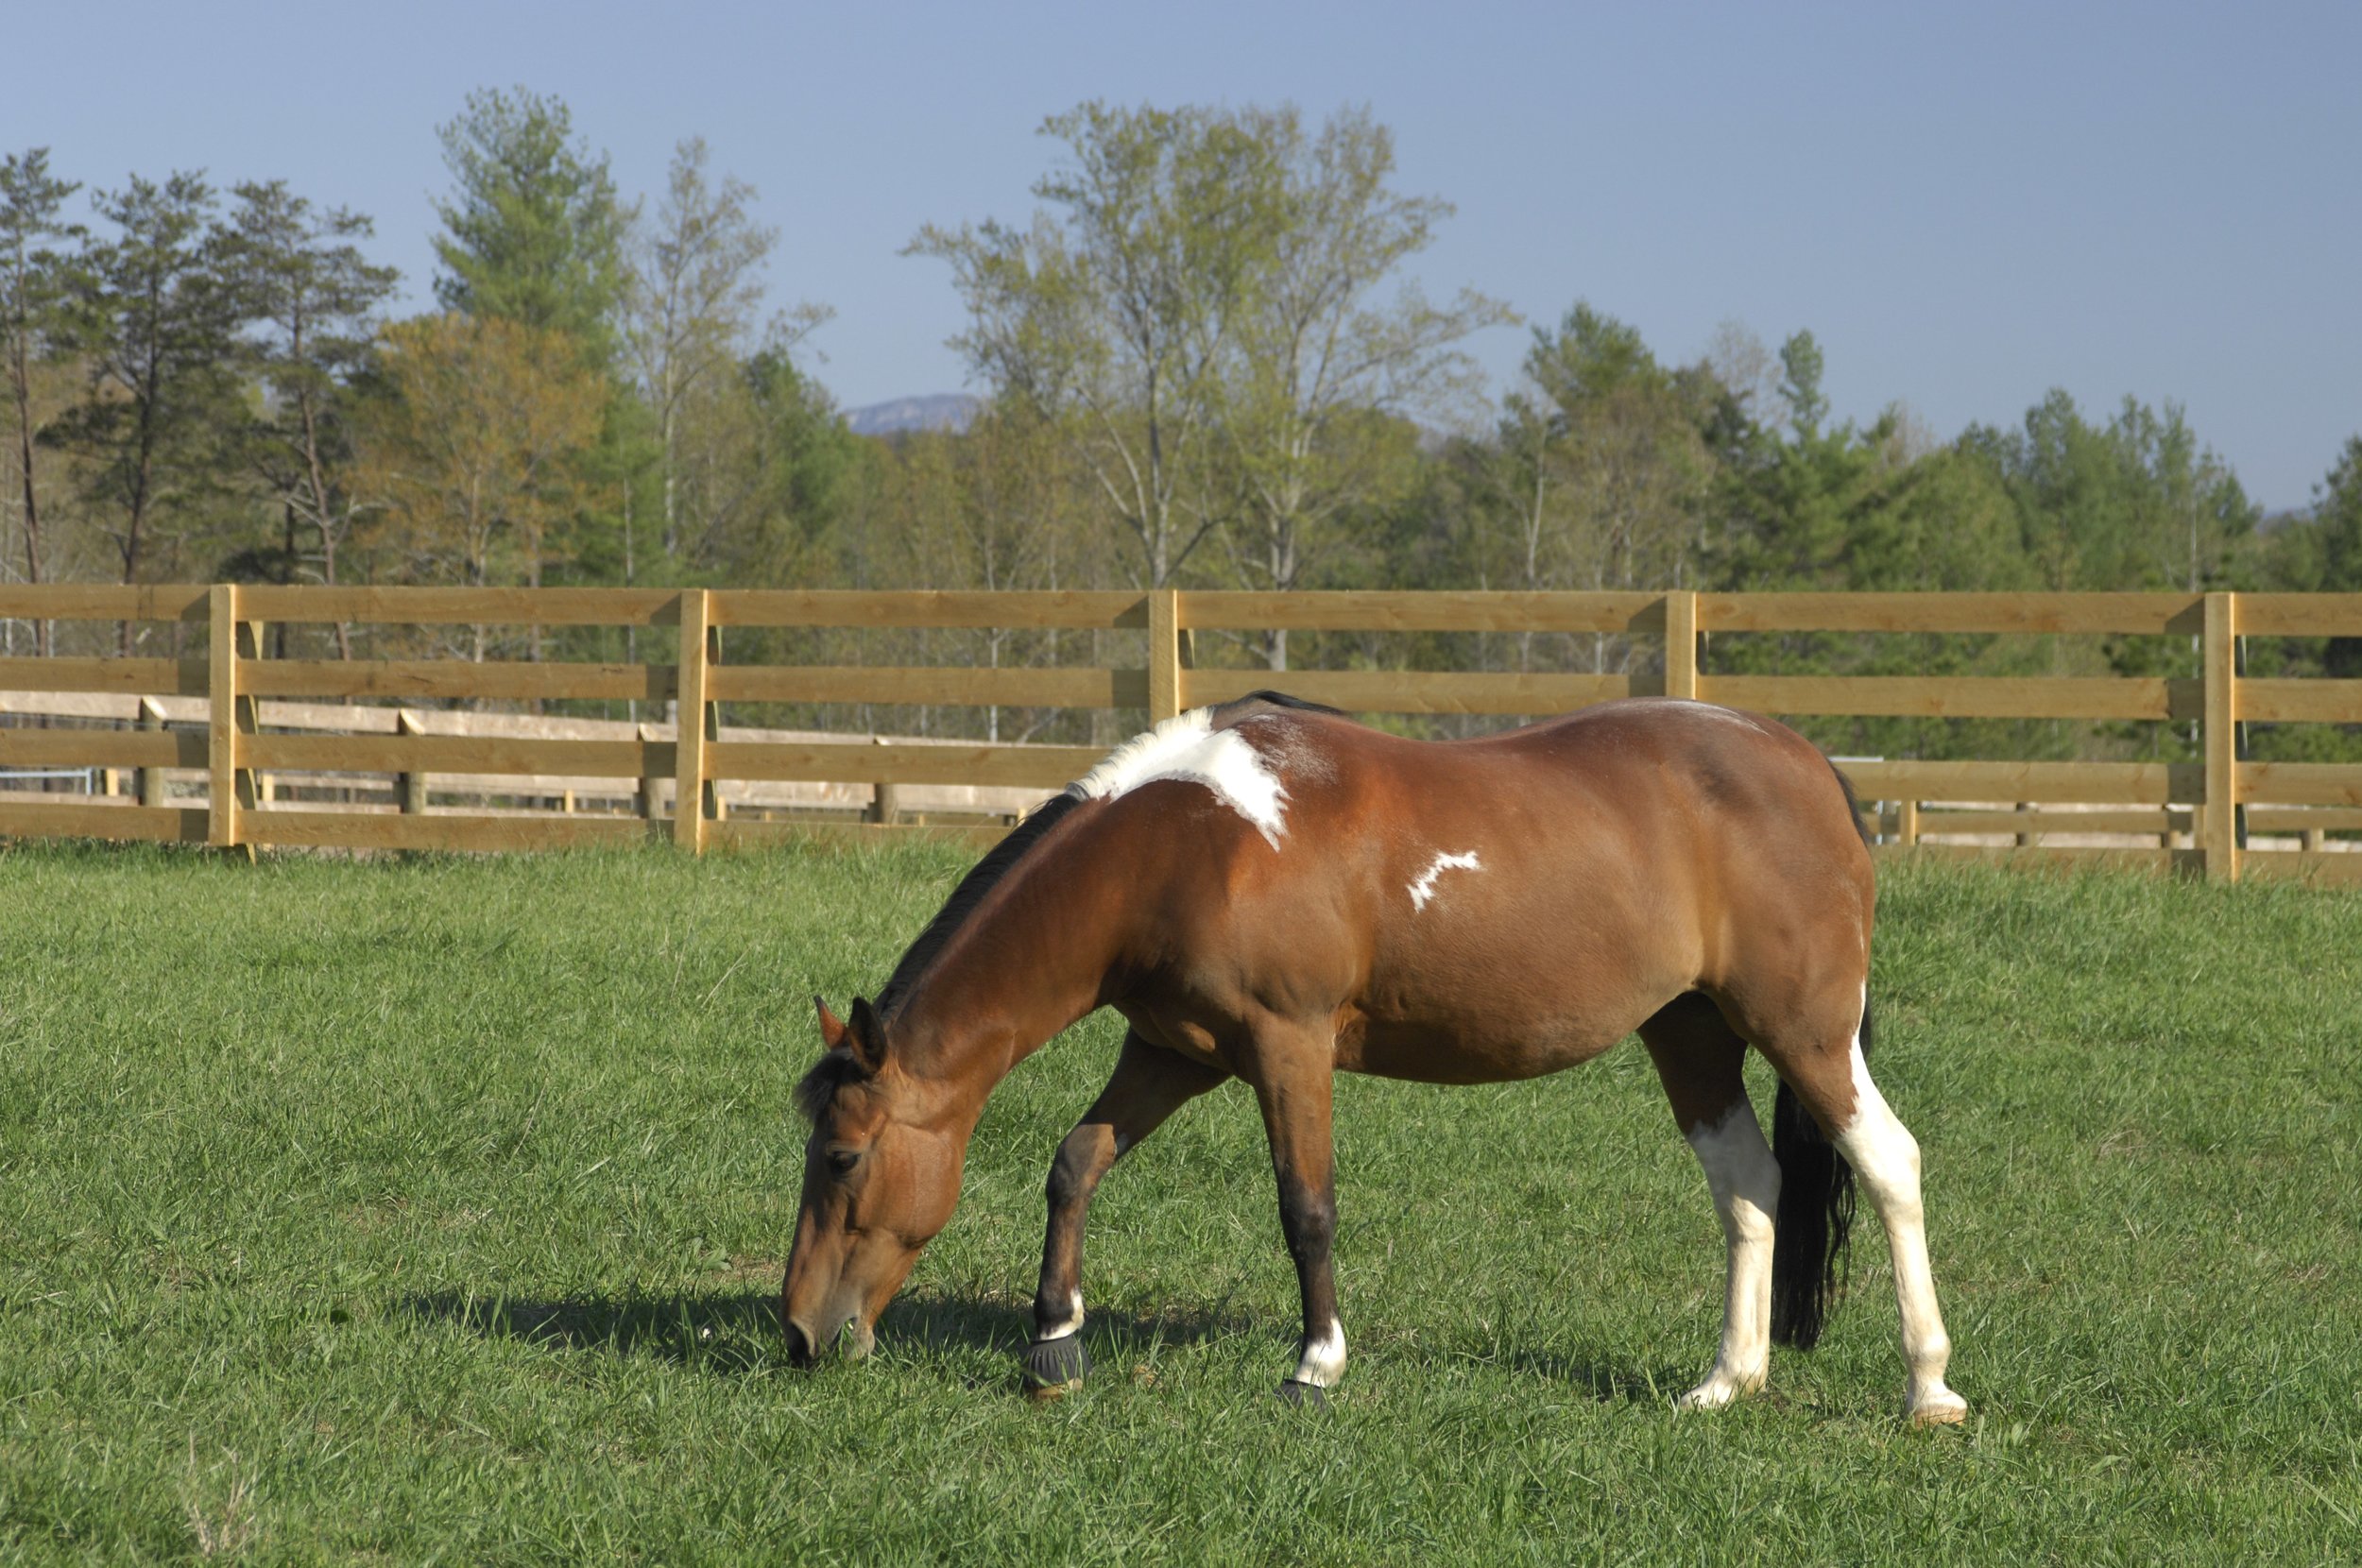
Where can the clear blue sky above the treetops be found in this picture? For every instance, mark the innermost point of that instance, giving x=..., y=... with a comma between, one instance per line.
x=1966, y=207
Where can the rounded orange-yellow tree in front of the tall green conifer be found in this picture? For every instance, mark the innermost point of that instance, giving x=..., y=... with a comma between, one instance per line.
x=476, y=447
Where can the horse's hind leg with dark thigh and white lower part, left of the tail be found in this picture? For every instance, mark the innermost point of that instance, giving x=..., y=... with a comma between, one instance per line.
x=1699, y=1061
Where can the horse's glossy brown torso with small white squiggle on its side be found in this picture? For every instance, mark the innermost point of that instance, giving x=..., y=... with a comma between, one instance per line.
x=1515, y=903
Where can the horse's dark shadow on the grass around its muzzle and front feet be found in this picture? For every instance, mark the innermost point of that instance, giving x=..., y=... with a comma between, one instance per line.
x=738, y=1331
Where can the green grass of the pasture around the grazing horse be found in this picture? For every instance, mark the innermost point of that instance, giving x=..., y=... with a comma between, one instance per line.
x=436, y=1210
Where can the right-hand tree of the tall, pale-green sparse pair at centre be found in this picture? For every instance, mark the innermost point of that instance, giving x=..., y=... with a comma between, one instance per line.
x=1319, y=377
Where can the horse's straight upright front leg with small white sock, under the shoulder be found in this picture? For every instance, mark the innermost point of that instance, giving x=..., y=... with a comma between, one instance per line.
x=1293, y=1085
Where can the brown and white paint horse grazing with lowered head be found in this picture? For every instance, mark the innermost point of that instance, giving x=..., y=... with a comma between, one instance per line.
x=1277, y=894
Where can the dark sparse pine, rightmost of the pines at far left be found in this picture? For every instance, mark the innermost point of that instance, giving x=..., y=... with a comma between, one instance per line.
x=311, y=299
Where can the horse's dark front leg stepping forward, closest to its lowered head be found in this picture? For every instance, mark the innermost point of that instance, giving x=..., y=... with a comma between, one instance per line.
x=1149, y=1085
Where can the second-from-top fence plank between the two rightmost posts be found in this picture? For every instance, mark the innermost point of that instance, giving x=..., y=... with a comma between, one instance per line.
x=1955, y=695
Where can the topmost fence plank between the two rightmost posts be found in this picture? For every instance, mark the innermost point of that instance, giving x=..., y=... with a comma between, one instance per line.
x=1952, y=613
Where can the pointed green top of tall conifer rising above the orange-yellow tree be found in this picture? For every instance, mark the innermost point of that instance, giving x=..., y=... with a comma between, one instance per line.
x=533, y=230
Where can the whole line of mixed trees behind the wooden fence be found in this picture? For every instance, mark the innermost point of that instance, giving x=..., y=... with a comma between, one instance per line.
x=1199, y=365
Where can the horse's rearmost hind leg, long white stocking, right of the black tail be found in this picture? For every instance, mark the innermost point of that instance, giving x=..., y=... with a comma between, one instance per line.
x=1846, y=1104
